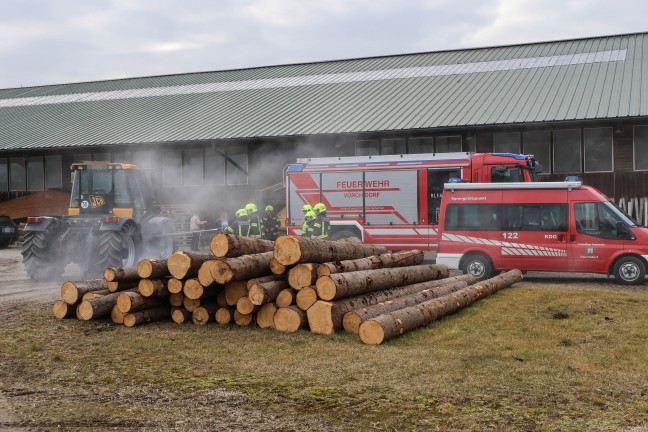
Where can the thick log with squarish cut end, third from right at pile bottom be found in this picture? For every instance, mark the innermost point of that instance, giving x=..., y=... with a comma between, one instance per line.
x=327, y=317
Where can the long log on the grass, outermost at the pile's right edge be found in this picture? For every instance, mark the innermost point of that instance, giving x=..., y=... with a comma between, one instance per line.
x=387, y=326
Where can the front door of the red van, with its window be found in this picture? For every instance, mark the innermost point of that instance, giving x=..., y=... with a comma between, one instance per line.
x=593, y=236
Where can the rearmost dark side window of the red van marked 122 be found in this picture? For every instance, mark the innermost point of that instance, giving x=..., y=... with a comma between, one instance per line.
x=473, y=217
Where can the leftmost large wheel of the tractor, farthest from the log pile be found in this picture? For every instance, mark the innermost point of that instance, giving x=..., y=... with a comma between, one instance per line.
x=41, y=262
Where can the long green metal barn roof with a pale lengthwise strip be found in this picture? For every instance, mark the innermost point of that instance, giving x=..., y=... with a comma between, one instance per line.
x=581, y=79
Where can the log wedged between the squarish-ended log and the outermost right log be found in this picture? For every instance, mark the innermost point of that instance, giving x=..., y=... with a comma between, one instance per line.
x=353, y=319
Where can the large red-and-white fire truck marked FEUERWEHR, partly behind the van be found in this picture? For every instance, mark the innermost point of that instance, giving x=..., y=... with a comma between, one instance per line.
x=391, y=200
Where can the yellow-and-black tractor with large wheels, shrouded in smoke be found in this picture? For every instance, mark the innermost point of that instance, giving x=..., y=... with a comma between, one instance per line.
x=112, y=221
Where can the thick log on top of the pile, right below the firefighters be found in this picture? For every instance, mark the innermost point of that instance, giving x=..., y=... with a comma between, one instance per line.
x=290, y=250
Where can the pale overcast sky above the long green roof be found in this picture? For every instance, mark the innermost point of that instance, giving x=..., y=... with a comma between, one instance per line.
x=62, y=41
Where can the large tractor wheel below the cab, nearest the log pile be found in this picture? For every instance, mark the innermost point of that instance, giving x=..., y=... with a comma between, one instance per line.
x=117, y=248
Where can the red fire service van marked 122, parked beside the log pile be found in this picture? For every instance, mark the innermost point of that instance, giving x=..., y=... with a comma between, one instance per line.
x=552, y=226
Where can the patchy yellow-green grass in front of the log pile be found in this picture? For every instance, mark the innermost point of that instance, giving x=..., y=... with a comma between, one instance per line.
x=558, y=355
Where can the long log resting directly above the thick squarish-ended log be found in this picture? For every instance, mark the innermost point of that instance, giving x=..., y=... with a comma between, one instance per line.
x=342, y=285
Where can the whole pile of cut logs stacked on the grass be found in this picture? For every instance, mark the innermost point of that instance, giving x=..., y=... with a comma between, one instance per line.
x=291, y=284
